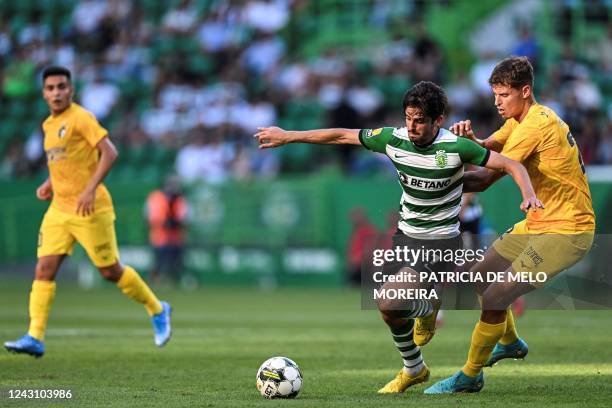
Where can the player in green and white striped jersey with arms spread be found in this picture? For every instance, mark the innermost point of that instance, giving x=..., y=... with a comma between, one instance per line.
x=429, y=162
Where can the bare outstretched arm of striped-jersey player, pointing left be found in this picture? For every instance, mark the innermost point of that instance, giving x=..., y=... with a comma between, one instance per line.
x=274, y=136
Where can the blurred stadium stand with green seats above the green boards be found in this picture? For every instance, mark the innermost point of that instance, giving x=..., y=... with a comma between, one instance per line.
x=160, y=70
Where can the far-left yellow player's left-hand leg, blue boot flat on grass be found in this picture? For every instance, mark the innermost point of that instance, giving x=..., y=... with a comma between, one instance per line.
x=54, y=242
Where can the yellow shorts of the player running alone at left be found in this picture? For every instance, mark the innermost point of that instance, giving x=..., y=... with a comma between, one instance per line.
x=96, y=234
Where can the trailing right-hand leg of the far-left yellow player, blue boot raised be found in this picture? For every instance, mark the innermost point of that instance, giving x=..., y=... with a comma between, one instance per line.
x=97, y=235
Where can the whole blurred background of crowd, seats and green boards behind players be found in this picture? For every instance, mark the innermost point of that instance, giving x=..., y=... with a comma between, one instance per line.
x=182, y=85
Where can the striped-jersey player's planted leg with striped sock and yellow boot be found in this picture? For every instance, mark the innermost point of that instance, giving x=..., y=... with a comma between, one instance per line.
x=399, y=317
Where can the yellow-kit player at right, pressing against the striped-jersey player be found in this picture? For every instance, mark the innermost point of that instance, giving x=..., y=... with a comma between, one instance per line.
x=549, y=240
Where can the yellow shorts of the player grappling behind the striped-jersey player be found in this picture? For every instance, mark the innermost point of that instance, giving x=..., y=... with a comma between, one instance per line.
x=548, y=253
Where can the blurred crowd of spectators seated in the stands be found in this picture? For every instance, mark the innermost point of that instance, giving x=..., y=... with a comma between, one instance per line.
x=196, y=78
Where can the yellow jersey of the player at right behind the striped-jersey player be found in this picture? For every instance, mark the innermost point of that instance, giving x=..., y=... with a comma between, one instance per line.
x=543, y=143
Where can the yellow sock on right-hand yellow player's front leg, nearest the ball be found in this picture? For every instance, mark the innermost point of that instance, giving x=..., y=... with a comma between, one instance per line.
x=484, y=338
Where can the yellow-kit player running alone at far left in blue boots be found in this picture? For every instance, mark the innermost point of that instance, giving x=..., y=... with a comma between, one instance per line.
x=79, y=155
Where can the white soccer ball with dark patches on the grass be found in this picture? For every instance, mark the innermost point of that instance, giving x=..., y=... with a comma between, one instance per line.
x=279, y=377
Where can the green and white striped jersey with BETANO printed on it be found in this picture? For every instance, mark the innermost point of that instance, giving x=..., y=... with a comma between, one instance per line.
x=431, y=177
